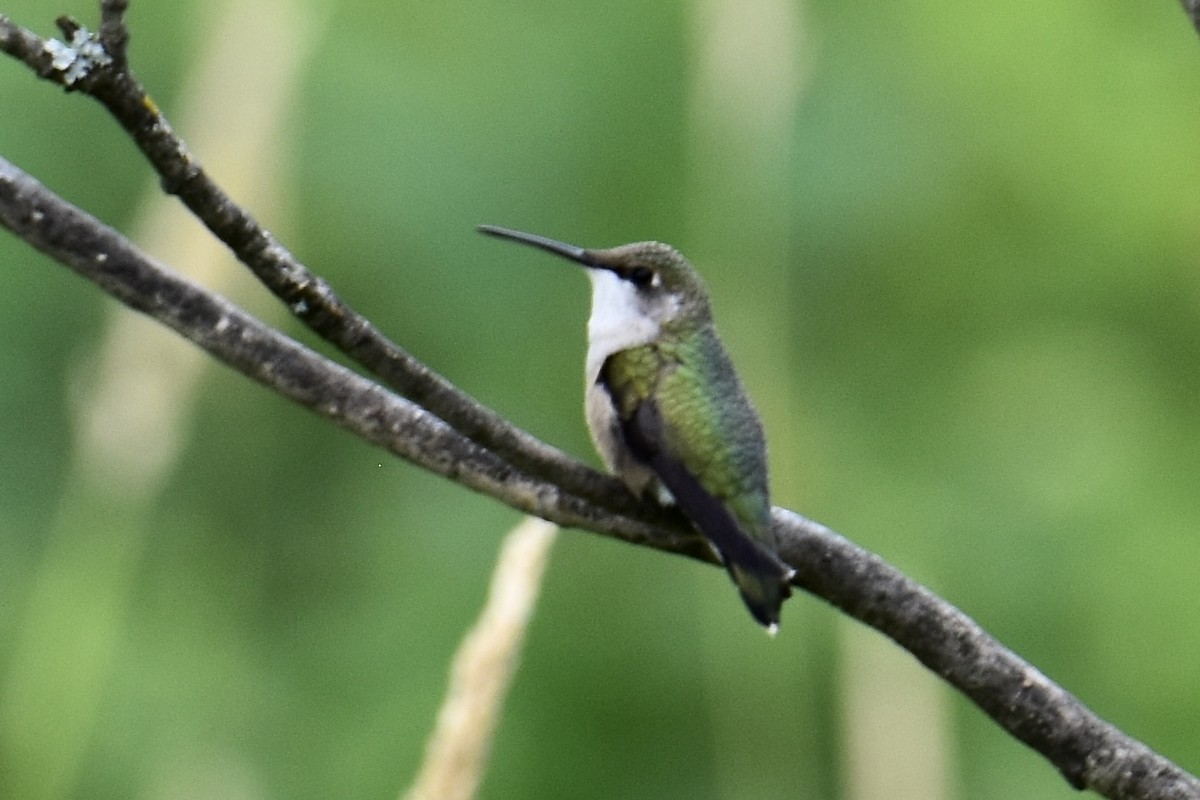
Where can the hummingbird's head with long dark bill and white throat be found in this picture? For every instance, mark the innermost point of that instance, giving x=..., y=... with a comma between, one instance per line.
x=650, y=286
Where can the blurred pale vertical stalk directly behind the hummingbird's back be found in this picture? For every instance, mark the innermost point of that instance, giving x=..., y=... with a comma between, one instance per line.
x=749, y=65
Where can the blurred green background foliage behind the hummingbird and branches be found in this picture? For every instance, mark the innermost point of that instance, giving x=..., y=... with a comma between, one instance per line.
x=952, y=246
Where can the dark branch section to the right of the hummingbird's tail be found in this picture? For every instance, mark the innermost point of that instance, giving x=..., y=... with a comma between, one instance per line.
x=1090, y=753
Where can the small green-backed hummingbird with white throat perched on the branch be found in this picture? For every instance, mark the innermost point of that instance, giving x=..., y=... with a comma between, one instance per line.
x=668, y=412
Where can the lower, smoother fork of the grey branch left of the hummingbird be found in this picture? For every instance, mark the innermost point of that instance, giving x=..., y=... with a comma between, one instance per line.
x=245, y=344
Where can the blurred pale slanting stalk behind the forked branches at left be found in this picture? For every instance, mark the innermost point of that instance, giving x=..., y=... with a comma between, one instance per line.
x=133, y=411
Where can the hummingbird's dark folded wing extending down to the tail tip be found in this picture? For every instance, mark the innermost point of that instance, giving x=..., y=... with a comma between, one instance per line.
x=760, y=576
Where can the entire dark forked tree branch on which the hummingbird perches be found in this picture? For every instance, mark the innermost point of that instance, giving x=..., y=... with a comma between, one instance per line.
x=445, y=431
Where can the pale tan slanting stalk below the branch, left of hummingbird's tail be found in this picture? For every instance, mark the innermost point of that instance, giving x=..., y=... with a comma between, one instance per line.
x=483, y=670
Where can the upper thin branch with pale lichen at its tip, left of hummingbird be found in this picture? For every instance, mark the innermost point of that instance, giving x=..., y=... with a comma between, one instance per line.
x=309, y=297
